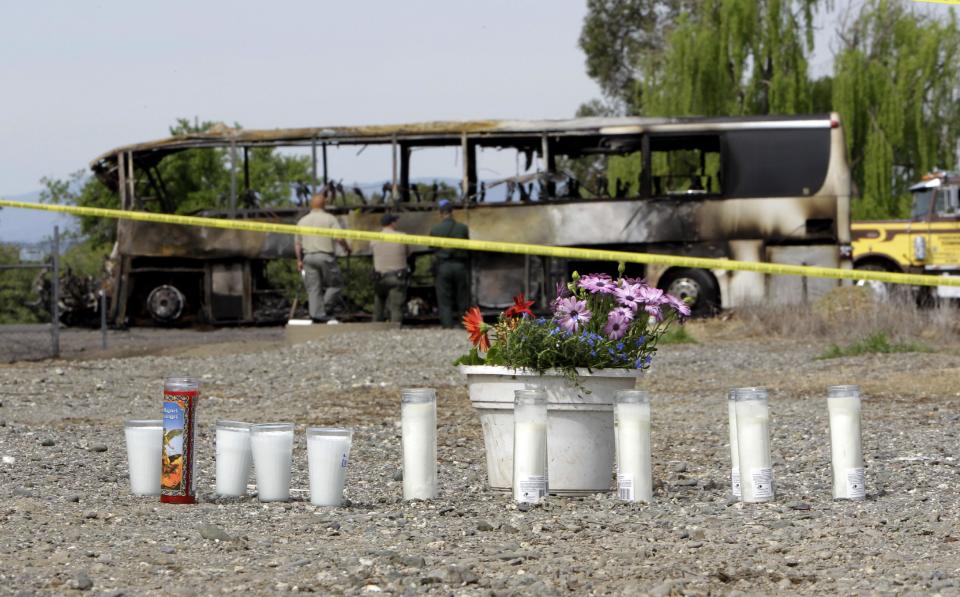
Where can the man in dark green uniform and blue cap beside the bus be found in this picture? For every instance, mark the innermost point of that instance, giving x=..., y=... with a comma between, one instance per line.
x=451, y=269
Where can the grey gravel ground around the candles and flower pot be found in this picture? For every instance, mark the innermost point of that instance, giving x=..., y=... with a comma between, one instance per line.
x=69, y=523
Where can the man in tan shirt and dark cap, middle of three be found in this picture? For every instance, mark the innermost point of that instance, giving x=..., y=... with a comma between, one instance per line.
x=390, y=273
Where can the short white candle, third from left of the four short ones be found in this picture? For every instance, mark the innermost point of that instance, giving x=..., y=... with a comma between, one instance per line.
x=272, y=446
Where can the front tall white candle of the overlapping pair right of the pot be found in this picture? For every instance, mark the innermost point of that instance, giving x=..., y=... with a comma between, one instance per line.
x=753, y=445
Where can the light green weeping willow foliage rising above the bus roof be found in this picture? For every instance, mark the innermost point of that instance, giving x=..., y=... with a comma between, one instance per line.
x=733, y=57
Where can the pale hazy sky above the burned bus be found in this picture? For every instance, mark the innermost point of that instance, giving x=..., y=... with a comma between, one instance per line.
x=79, y=78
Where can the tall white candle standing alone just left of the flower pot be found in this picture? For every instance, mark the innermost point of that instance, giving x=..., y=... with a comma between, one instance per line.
x=418, y=415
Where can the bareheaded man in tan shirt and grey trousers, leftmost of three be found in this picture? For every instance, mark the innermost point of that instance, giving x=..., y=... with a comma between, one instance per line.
x=317, y=260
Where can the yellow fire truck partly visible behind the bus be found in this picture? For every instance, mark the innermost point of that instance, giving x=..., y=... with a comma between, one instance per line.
x=928, y=242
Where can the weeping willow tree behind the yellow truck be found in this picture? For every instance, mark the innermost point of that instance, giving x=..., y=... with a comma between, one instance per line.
x=897, y=88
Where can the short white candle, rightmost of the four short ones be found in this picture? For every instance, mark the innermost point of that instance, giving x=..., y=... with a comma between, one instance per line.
x=328, y=452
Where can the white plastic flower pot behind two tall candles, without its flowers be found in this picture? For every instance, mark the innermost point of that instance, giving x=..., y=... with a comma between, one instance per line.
x=580, y=441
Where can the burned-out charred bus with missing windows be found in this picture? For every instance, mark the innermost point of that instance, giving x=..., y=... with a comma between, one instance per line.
x=767, y=189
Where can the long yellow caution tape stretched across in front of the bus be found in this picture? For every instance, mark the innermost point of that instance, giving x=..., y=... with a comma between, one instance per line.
x=501, y=247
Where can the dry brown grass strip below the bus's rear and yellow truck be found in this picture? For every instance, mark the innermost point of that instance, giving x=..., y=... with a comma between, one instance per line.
x=845, y=316
